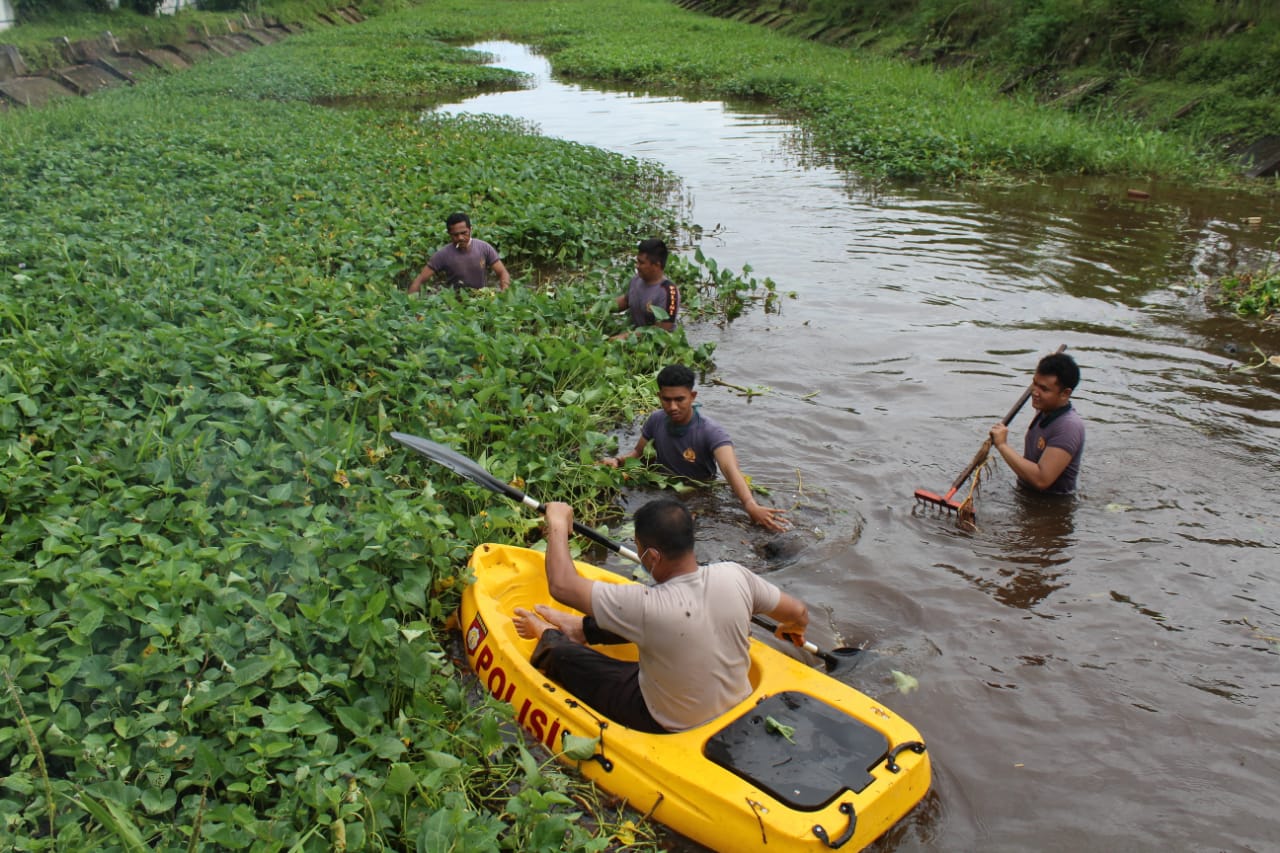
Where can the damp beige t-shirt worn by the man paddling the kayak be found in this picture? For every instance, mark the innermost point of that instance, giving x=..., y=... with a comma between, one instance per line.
x=693, y=635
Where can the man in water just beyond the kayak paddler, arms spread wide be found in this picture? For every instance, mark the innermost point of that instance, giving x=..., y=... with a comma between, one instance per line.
x=692, y=445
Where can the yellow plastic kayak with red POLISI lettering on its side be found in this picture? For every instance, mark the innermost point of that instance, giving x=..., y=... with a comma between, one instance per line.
x=806, y=763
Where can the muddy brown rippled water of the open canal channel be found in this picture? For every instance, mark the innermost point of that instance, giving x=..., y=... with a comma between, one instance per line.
x=1099, y=674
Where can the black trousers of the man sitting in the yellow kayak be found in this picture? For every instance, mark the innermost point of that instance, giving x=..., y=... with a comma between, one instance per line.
x=607, y=685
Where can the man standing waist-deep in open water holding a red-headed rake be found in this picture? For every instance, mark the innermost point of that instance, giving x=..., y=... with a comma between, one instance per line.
x=1055, y=440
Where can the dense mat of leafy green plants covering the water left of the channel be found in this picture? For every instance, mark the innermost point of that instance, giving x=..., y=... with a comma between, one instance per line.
x=223, y=585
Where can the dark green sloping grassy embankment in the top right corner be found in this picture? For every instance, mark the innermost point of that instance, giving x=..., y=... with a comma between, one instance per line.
x=1206, y=70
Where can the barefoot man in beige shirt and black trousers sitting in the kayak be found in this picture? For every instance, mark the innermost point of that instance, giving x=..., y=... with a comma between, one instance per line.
x=692, y=628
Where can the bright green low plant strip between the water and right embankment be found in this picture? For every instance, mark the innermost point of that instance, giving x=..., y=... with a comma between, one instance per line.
x=879, y=115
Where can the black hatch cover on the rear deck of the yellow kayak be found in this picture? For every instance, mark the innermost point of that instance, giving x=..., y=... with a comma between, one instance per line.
x=799, y=750
